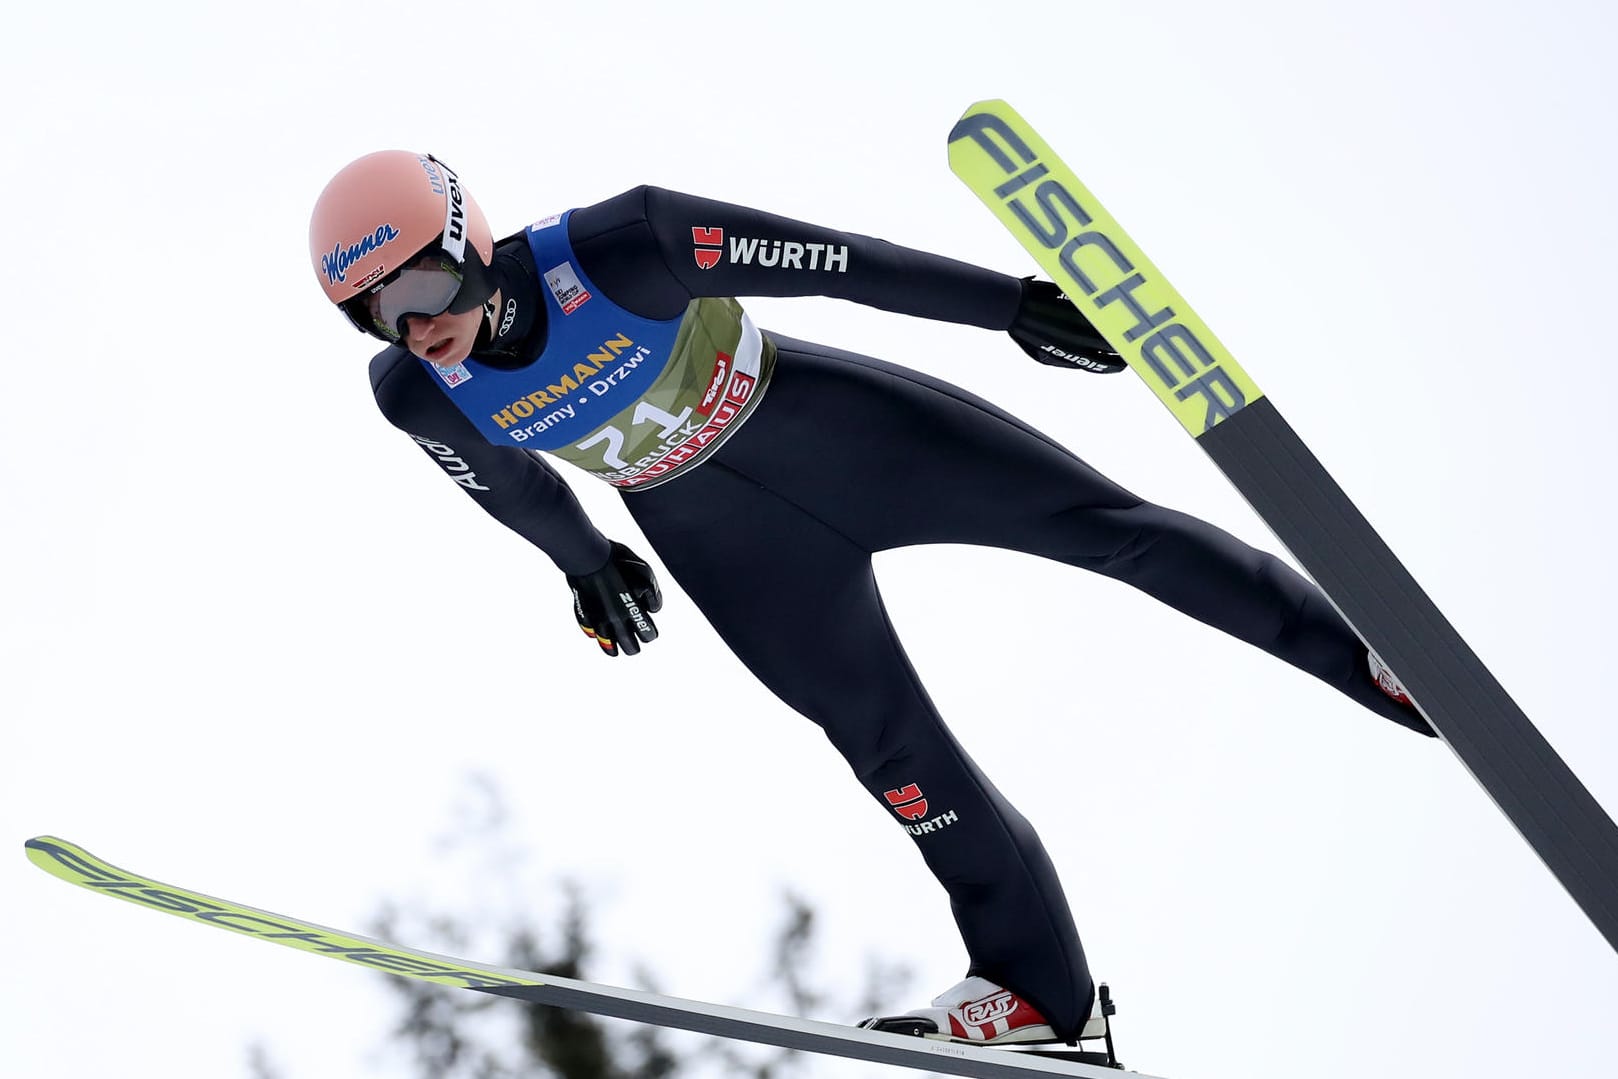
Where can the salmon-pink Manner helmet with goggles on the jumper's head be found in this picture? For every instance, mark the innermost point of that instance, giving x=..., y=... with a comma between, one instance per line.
x=396, y=235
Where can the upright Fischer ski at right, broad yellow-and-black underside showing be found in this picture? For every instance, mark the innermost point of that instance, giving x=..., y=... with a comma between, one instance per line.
x=1040, y=200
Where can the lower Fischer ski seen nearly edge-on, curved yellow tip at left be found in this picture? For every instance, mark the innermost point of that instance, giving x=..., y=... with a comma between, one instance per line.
x=77, y=866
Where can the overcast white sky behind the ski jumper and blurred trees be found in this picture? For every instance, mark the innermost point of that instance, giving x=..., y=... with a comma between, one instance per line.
x=253, y=643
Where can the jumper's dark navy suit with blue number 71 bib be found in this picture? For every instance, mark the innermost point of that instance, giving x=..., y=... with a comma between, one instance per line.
x=616, y=345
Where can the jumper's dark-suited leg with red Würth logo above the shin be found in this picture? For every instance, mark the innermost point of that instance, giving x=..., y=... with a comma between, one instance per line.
x=798, y=604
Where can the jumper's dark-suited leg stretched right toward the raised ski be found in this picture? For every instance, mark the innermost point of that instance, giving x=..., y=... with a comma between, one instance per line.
x=931, y=463
